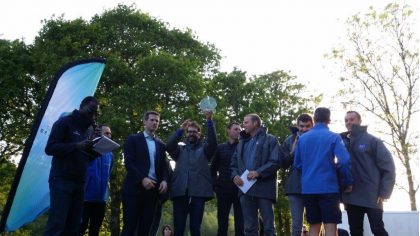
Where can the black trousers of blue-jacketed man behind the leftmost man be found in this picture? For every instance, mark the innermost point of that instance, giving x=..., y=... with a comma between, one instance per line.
x=93, y=215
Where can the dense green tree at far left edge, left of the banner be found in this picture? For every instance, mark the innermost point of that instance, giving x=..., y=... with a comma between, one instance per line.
x=17, y=95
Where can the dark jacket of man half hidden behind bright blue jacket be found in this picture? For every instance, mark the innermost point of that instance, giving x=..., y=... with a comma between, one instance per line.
x=293, y=181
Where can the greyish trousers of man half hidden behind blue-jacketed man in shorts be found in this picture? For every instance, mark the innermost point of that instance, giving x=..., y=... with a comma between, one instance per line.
x=297, y=207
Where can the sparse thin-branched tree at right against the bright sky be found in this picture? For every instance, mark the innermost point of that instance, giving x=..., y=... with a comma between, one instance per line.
x=380, y=65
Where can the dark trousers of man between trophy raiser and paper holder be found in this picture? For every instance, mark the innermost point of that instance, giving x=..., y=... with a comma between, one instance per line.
x=224, y=202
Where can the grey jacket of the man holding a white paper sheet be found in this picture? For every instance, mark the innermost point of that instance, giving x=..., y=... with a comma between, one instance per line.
x=265, y=163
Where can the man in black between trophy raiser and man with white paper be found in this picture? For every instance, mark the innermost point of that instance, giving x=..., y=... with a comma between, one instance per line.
x=226, y=190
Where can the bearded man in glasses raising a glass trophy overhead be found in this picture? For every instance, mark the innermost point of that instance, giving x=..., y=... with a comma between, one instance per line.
x=191, y=184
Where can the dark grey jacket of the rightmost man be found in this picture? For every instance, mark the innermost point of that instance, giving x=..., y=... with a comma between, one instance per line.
x=373, y=169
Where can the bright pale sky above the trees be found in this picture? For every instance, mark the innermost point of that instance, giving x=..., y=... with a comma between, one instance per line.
x=255, y=36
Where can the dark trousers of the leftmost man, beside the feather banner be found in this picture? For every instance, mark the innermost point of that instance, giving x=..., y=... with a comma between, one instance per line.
x=66, y=204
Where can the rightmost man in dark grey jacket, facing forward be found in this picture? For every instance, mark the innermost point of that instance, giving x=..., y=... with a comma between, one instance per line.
x=374, y=177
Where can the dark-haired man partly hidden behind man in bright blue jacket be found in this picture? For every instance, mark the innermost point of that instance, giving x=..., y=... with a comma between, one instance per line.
x=292, y=186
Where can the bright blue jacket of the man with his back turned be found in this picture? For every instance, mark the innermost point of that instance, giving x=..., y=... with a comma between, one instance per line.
x=318, y=154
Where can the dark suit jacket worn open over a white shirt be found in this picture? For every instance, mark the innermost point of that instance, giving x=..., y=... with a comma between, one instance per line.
x=137, y=163
